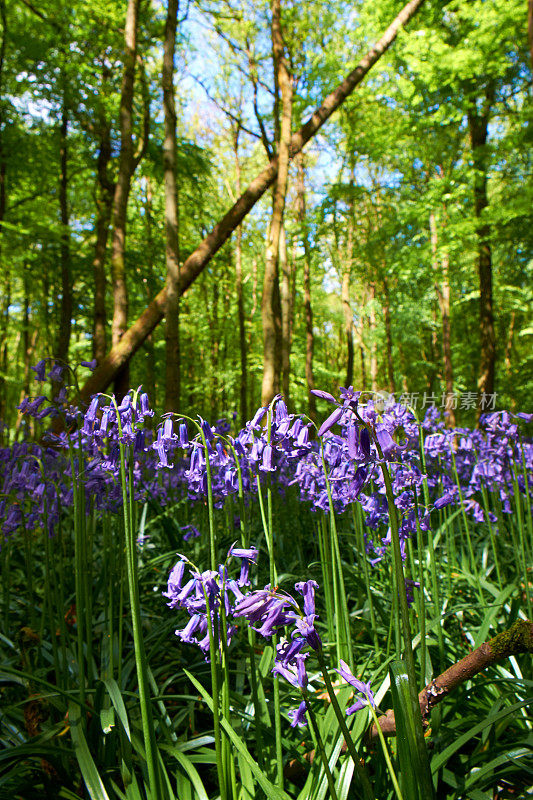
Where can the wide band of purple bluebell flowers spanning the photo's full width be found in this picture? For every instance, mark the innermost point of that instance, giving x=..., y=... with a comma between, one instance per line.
x=170, y=463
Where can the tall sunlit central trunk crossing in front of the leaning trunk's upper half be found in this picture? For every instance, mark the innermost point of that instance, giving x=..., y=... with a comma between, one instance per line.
x=271, y=301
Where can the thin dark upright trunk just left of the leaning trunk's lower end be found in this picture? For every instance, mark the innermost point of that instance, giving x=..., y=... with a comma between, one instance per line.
x=65, y=320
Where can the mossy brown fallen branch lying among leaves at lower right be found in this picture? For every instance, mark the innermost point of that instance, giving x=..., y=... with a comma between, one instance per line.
x=517, y=639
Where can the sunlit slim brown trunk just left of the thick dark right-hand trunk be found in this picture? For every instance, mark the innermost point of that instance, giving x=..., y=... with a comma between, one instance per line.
x=442, y=289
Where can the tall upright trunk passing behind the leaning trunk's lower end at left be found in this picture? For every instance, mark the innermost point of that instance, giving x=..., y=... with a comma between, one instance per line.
x=122, y=190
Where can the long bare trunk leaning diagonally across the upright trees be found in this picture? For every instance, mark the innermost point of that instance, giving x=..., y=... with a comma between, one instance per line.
x=132, y=339
